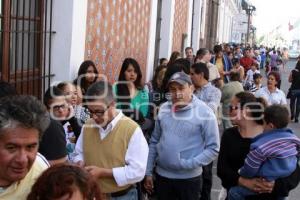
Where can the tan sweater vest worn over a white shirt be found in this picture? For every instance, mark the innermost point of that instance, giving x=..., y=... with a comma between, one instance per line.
x=108, y=152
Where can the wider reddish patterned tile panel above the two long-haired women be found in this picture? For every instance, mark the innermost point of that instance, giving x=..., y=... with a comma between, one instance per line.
x=117, y=29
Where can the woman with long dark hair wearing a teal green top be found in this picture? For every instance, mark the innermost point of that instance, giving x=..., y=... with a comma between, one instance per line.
x=129, y=89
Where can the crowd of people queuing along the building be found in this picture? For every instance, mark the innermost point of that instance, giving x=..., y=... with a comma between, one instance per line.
x=93, y=140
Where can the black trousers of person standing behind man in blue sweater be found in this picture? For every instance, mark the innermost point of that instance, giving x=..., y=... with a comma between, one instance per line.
x=207, y=181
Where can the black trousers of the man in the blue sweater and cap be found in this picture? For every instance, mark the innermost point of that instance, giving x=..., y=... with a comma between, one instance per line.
x=178, y=189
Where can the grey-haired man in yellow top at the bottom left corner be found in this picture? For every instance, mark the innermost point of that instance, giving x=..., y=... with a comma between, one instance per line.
x=22, y=121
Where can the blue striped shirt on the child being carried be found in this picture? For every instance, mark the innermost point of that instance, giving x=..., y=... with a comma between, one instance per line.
x=272, y=155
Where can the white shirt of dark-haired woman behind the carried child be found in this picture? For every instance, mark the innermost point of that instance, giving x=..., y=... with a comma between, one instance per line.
x=277, y=97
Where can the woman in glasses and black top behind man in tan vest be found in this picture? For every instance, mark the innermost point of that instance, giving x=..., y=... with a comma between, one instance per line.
x=63, y=131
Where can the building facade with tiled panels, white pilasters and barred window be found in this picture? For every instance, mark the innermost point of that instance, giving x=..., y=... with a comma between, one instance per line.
x=106, y=32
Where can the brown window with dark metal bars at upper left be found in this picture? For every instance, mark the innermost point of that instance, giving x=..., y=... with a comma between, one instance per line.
x=26, y=34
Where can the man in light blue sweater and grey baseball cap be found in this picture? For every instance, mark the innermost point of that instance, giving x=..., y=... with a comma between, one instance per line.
x=185, y=138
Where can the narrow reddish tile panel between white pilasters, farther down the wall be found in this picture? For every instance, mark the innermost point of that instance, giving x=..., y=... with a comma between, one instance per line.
x=180, y=23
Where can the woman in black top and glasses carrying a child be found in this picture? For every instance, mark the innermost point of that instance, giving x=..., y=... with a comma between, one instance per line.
x=246, y=112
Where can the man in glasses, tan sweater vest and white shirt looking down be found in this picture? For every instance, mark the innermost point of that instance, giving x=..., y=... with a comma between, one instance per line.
x=111, y=145
